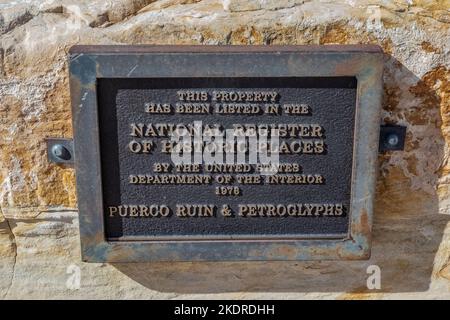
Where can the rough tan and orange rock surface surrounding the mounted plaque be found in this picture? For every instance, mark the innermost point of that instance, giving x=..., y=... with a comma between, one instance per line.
x=39, y=237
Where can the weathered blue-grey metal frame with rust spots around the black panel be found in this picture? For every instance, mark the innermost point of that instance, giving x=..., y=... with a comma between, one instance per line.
x=88, y=63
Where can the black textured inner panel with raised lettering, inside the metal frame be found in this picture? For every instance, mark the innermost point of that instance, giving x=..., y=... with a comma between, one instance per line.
x=318, y=208
